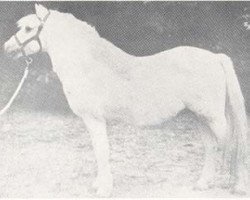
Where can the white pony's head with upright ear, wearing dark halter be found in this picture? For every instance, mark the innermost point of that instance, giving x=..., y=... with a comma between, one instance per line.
x=27, y=40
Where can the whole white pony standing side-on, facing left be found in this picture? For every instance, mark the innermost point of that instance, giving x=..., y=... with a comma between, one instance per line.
x=101, y=82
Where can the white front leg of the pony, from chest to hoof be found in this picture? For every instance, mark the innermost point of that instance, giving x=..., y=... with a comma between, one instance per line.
x=98, y=132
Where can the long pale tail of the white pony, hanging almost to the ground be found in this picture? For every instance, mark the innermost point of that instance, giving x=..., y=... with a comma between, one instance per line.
x=238, y=119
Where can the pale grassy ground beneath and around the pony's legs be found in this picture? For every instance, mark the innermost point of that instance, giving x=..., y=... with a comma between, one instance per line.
x=48, y=155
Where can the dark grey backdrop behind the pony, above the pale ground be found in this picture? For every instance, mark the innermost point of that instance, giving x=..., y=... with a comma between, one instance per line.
x=138, y=28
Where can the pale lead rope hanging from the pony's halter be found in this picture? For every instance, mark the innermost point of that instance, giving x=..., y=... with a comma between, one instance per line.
x=28, y=61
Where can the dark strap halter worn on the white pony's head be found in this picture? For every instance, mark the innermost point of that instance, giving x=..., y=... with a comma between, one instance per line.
x=22, y=45
